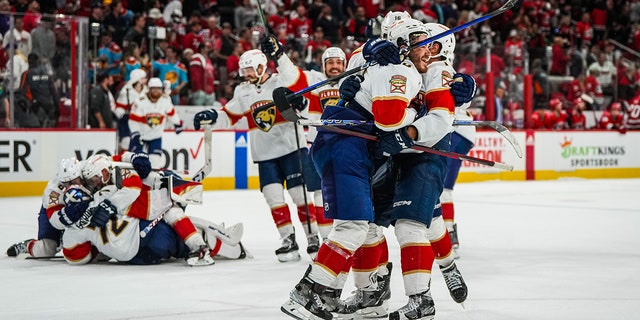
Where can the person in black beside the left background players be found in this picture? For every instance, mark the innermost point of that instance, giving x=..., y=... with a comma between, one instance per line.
x=100, y=111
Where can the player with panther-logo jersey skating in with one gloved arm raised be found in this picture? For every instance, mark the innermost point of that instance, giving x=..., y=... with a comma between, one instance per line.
x=274, y=145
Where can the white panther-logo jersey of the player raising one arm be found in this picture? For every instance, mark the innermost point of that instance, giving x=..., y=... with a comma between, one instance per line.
x=270, y=135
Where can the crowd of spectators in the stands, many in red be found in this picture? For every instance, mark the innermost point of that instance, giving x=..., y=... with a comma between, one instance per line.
x=577, y=51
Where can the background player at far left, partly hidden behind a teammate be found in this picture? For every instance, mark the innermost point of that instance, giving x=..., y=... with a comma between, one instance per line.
x=130, y=92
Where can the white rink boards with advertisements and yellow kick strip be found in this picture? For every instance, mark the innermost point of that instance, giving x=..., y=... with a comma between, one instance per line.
x=29, y=158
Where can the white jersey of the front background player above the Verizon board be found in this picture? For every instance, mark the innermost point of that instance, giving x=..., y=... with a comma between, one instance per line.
x=149, y=118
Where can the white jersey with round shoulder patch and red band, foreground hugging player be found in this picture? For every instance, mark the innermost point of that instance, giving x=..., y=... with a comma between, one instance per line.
x=386, y=91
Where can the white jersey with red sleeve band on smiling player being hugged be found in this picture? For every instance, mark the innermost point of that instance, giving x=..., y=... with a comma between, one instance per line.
x=438, y=122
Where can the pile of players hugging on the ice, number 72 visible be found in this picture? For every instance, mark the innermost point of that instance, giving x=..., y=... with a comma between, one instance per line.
x=96, y=210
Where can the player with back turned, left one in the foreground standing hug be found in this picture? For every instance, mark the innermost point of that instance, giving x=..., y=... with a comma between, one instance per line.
x=345, y=166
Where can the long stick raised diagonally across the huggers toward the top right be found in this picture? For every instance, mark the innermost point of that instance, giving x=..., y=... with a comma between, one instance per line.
x=506, y=6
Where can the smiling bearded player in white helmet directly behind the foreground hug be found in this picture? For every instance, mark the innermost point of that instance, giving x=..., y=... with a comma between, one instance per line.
x=334, y=62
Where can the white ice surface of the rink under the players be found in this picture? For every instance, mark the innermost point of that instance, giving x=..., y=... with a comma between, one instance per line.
x=563, y=249
